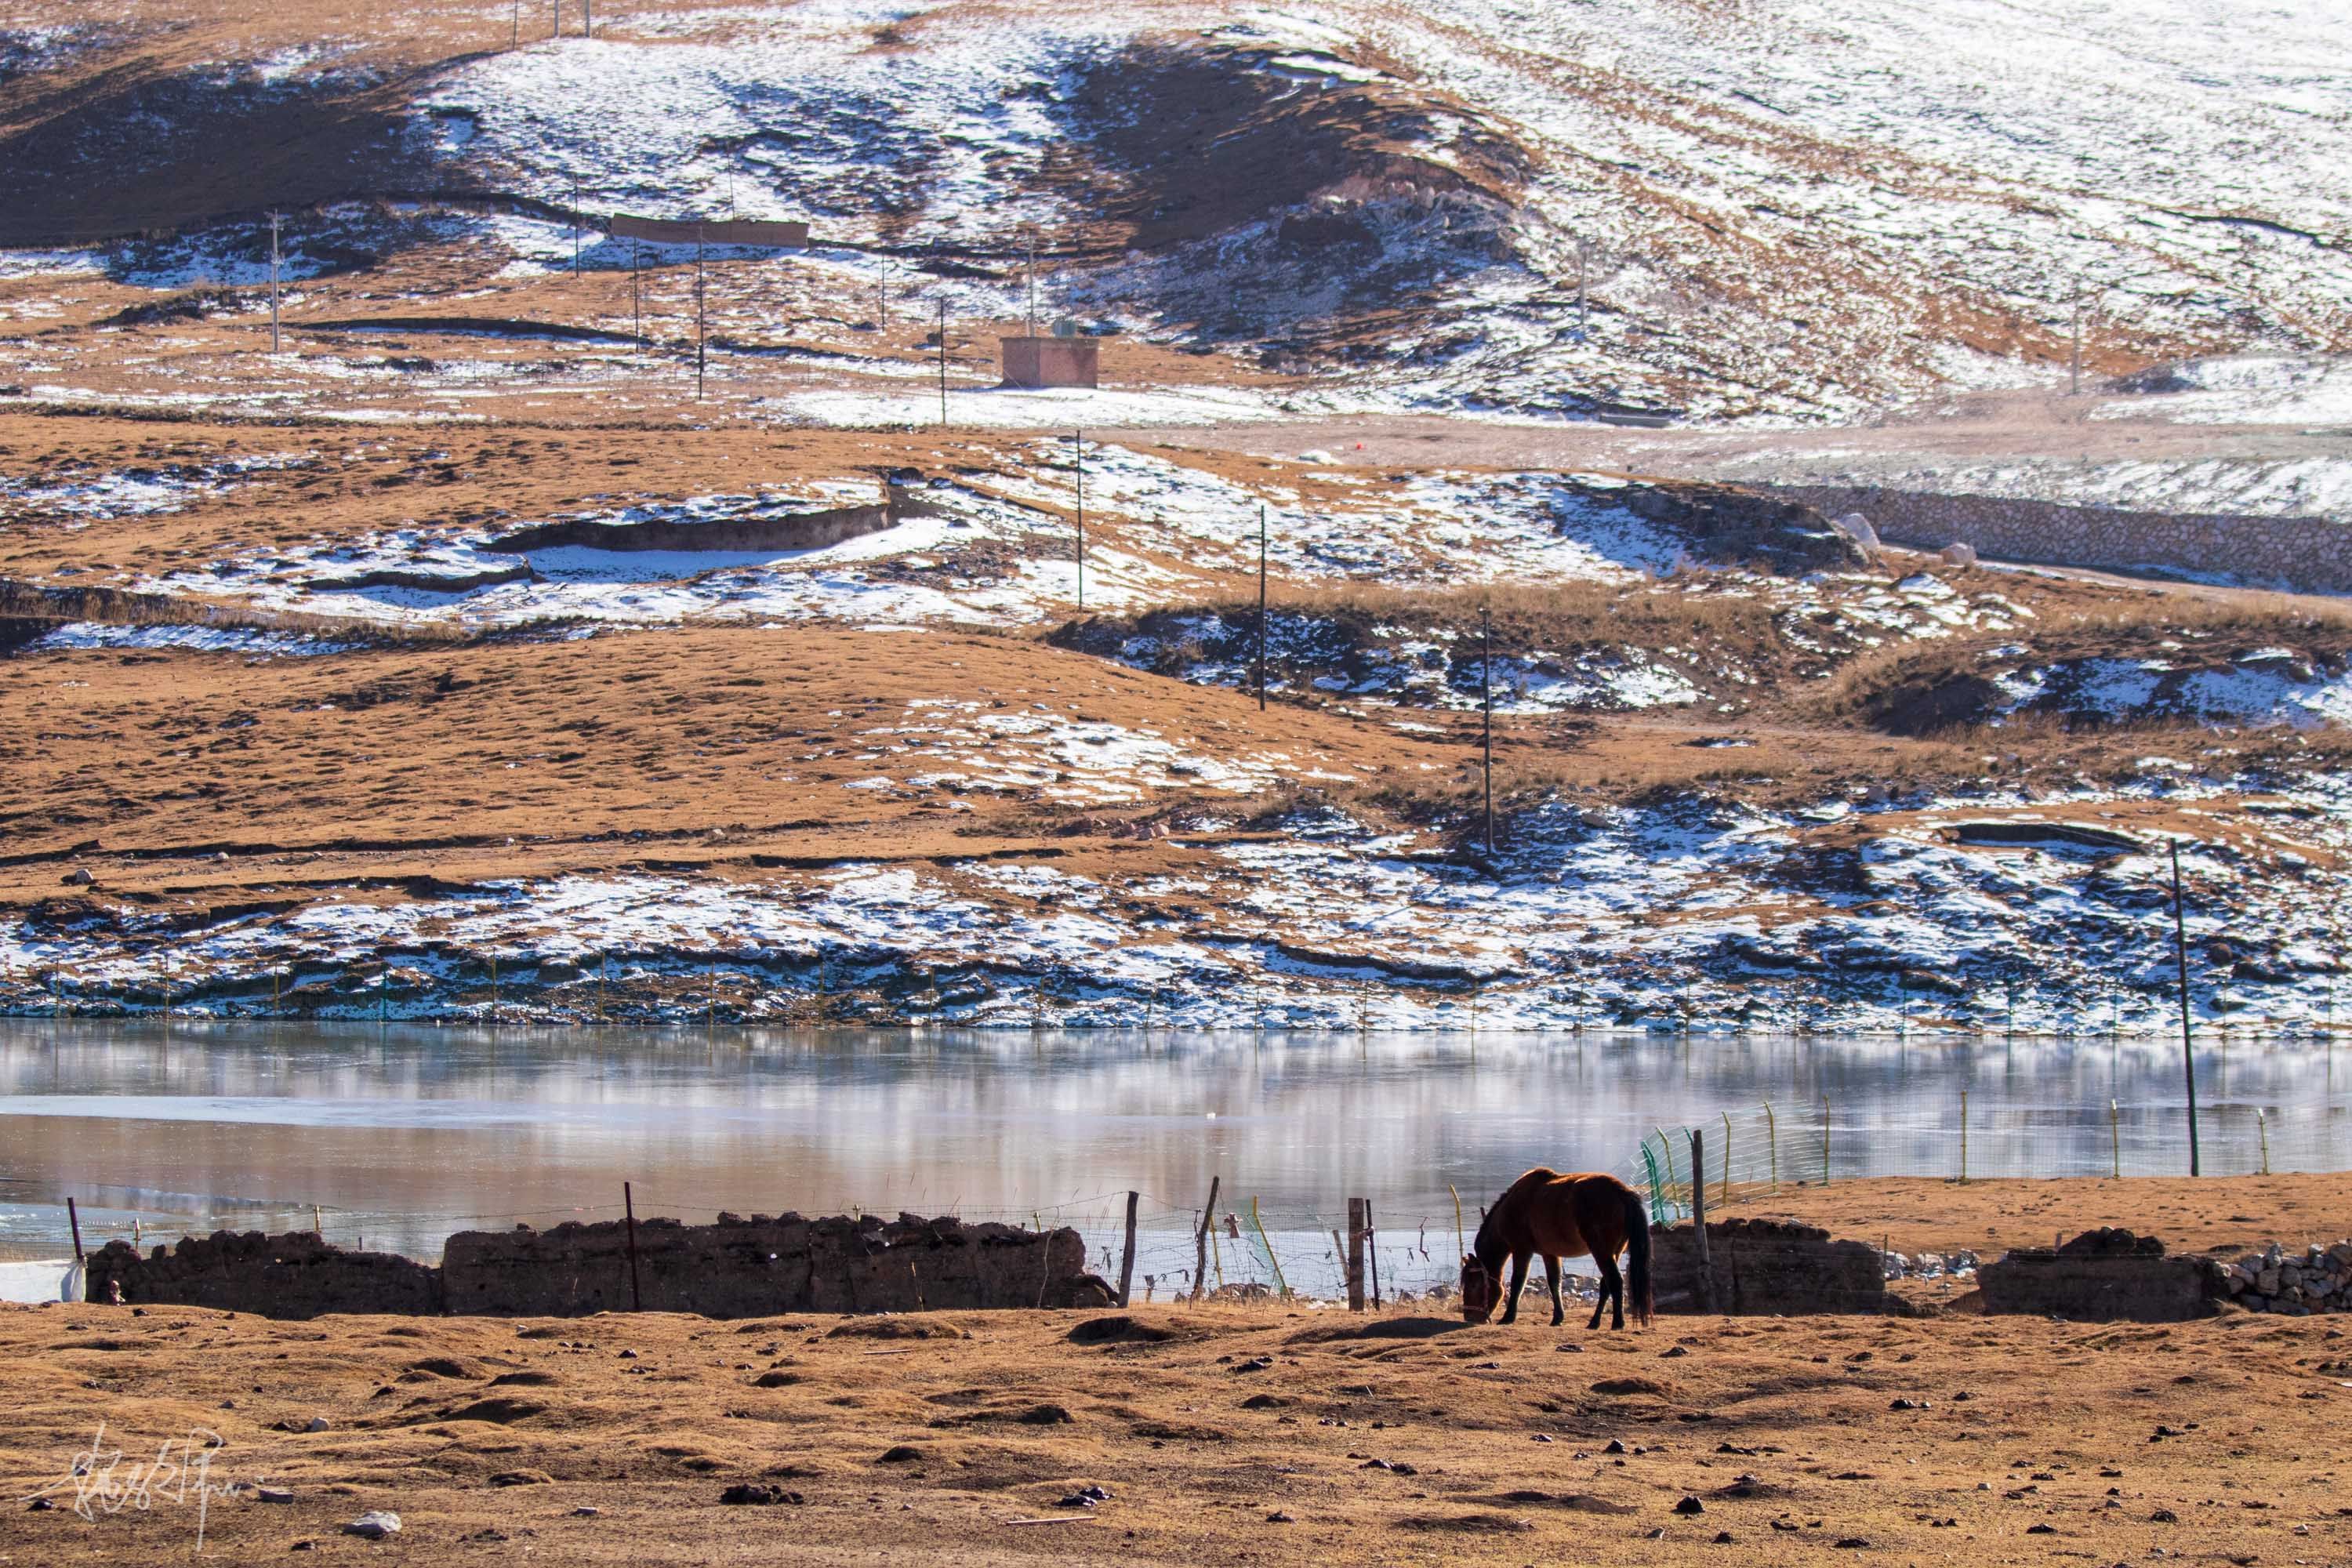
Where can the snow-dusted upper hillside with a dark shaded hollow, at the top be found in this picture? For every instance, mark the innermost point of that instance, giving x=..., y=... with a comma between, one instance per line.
x=1793, y=210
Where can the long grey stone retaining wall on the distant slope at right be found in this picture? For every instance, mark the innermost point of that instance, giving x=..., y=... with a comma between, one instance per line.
x=2308, y=554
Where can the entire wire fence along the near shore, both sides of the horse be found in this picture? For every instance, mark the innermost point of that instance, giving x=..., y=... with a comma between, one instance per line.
x=1288, y=1249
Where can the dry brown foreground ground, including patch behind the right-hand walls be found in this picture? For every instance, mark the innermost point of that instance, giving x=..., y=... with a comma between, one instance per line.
x=1227, y=1433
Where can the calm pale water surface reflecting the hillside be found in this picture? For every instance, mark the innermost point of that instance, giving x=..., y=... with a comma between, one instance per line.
x=410, y=1134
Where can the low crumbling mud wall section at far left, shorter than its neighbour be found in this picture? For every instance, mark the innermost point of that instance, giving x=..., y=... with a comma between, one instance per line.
x=283, y=1278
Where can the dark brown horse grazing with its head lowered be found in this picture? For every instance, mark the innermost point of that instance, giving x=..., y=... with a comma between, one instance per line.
x=1561, y=1217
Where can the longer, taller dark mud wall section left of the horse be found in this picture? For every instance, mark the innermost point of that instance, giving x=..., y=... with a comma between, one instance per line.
x=759, y=1266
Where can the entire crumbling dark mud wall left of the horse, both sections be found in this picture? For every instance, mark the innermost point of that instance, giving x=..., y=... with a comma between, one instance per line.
x=735, y=1268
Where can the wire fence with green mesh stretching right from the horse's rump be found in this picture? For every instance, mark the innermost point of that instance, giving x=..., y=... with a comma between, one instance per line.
x=1775, y=1146
